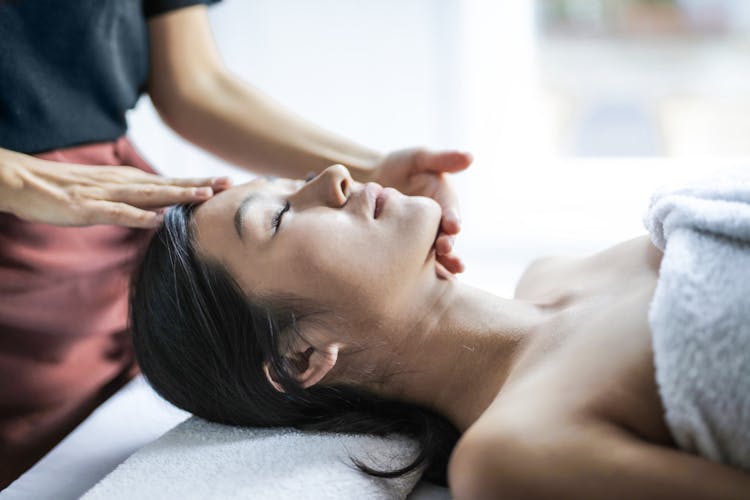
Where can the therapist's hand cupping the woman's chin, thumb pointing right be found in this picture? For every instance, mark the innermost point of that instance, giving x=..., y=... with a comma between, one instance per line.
x=418, y=172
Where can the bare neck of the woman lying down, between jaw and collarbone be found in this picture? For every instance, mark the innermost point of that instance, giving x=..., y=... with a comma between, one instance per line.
x=456, y=351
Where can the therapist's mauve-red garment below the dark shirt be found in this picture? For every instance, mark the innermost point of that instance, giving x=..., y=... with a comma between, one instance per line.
x=64, y=340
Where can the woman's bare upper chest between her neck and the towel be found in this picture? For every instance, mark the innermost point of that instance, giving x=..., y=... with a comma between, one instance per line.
x=593, y=359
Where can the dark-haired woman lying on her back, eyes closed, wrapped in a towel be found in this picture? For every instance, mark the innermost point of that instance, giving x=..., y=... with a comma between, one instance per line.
x=316, y=305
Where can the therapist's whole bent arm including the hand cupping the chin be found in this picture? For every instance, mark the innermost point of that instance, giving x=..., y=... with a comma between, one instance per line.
x=203, y=102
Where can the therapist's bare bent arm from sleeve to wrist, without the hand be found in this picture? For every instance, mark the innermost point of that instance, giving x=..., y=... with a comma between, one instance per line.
x=203, y=102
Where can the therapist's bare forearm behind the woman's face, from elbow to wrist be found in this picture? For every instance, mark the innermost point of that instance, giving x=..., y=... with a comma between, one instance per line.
x=242, y=125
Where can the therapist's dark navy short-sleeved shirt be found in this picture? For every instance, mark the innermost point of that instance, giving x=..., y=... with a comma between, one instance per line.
x=70, y=69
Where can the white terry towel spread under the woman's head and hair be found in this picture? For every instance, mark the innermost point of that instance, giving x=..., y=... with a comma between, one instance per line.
x=203, y=460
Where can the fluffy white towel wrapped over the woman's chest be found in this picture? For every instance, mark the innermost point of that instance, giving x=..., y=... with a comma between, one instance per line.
x=700, y=314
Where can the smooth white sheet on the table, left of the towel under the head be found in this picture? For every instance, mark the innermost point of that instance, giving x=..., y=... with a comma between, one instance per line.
x=129, y=420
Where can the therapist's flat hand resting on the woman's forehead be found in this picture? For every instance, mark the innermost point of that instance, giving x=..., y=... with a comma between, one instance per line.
x=67, y=194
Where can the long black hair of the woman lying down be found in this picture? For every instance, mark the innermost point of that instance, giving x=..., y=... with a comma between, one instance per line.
x=201, y=343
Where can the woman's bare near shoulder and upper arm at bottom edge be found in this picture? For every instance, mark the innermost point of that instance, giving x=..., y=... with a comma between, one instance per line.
x=583, y=460
